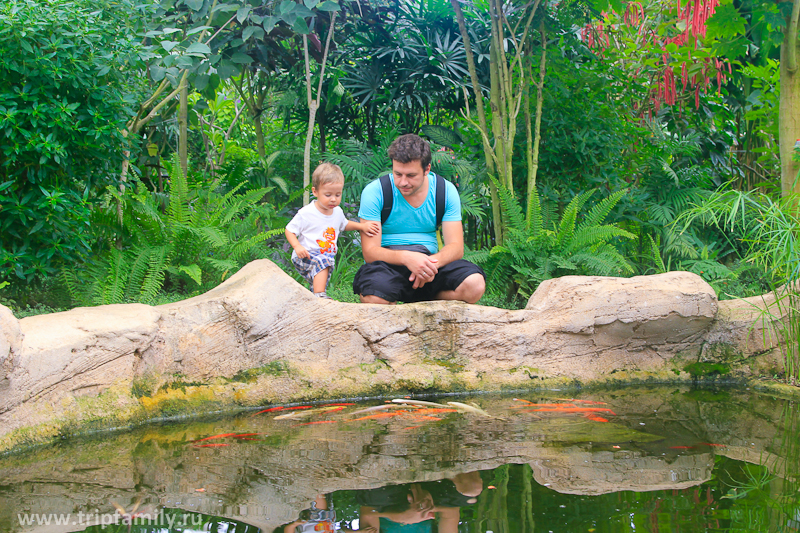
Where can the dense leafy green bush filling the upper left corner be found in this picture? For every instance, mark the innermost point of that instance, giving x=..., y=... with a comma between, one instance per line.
x=65, y=72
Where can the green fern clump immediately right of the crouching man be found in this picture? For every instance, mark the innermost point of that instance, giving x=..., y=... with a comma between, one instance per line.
x=533, y=253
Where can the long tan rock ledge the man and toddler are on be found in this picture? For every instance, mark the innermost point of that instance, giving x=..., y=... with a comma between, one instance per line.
x=260, y=338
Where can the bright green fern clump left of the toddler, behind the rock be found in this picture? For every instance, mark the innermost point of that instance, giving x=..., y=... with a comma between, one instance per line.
x=199, y=237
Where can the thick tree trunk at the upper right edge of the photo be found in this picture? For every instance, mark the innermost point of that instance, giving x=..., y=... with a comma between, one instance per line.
x=789, y=113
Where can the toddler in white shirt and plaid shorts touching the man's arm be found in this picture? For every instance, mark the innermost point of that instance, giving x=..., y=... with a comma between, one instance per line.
x=315, y=228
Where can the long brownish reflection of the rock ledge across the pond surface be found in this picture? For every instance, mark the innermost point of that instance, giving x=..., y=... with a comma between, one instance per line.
x=266, y=483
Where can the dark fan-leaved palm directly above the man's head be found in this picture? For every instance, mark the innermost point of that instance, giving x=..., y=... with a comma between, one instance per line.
x=412, y=61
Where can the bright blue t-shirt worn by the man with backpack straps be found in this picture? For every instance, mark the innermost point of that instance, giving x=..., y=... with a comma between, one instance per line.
x=407, y=224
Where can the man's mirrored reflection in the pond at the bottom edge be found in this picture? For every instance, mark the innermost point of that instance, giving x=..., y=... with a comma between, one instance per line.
x=411, y=508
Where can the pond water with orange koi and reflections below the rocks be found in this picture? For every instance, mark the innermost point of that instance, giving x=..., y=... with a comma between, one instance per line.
x=635, y=459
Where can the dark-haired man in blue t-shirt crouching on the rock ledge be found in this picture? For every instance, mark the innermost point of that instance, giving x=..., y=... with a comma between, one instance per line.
x=404, y=262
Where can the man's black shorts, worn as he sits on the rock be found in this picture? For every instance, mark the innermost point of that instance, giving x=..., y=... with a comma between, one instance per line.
x=390, y=282
